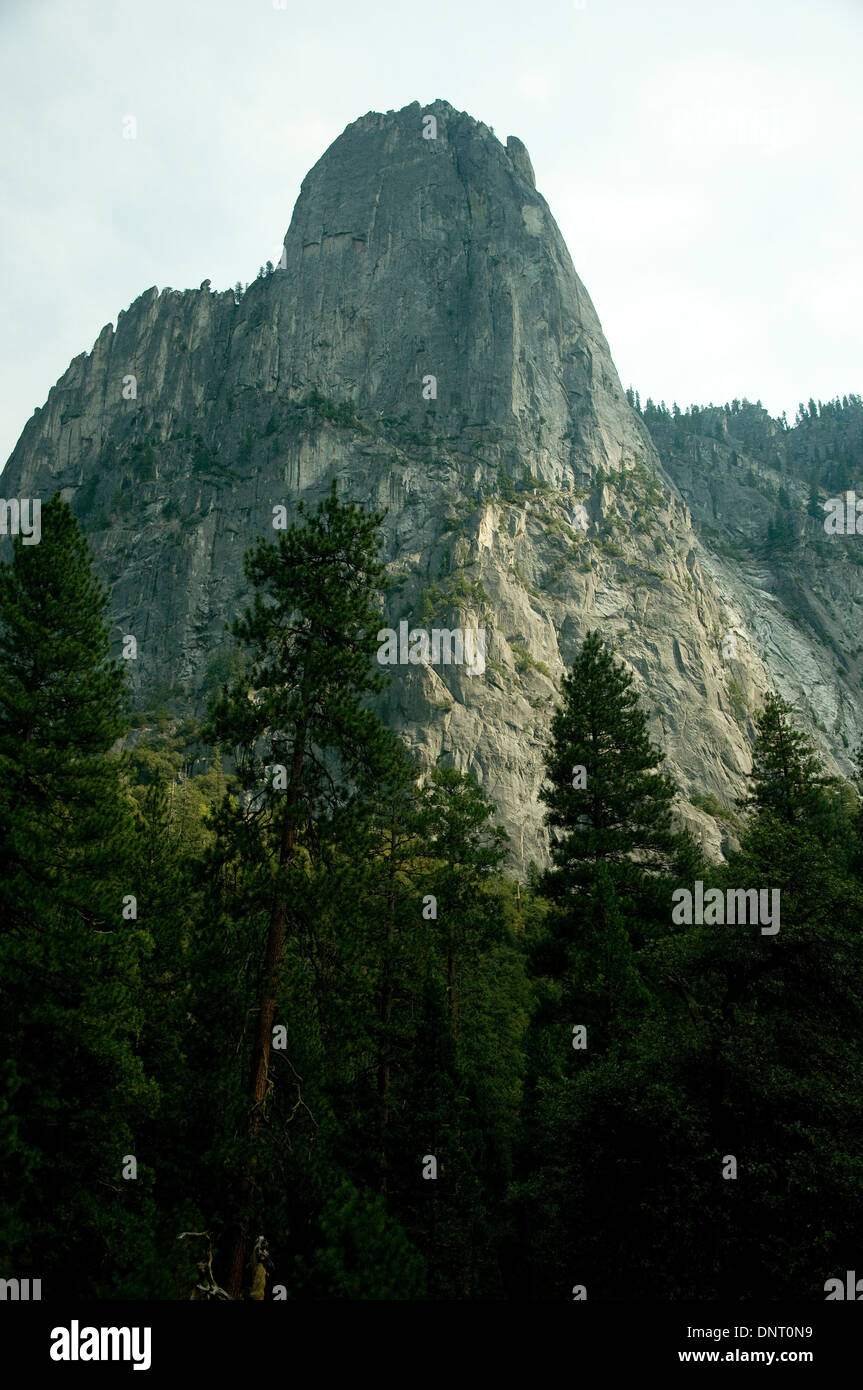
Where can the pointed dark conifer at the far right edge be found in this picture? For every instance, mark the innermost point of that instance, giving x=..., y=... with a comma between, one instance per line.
x=794, y=999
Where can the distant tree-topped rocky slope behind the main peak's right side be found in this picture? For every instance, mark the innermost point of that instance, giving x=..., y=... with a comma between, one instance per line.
x=758, y=494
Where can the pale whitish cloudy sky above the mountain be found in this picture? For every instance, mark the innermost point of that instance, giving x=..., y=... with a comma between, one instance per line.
x=702, y=162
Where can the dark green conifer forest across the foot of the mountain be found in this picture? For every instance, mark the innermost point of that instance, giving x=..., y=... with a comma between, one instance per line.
x=429, y=1004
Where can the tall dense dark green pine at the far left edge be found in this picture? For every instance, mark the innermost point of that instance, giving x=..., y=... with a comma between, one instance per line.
x=70, y=990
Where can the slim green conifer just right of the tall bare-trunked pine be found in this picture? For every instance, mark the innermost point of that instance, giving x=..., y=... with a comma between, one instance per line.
x=479, y=963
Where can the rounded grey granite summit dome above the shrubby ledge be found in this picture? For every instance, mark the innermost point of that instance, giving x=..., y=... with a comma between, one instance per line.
x=420, y=247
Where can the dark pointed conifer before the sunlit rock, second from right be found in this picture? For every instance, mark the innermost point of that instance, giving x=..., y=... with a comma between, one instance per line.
x=594, y=963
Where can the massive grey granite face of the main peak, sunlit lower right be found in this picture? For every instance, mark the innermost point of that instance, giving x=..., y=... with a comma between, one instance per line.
x=429, y=344
